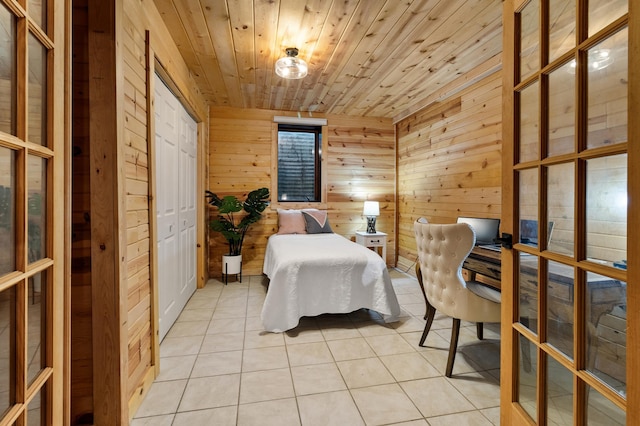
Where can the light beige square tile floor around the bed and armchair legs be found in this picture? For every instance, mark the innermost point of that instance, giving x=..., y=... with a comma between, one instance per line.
x=219, y=367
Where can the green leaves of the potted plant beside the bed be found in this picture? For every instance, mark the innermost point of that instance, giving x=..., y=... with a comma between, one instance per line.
x=232, y=229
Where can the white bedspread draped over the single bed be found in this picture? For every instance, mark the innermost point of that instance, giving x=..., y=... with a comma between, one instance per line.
x=323, y=273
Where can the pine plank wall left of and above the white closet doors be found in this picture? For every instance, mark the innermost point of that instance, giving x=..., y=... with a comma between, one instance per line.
x=139, y=18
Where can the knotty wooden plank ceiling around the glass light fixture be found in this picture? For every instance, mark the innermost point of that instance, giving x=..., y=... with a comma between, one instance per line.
x=377, y=58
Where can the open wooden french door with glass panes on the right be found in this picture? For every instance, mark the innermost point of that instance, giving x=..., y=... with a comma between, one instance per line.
x=569, y=303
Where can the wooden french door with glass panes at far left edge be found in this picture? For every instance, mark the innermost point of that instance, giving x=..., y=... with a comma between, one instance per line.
x=32, y=254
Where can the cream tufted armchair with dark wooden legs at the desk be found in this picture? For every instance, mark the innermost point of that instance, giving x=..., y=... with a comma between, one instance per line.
x=442, y=250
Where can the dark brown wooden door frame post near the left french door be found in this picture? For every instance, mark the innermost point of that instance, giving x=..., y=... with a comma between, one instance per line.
x=108, y=210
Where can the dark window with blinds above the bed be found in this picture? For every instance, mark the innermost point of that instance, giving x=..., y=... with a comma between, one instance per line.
x=299, y=158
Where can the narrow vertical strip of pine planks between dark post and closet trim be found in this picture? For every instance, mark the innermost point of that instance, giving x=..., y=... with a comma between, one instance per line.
x=137, y=204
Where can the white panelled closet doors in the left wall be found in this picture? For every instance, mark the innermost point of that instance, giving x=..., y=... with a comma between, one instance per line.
x=176, y=135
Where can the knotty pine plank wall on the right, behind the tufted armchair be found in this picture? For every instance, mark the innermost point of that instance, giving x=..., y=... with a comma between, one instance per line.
x=449, y=162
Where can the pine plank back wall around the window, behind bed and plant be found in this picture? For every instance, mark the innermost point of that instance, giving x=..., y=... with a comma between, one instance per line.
x=360, y=165
